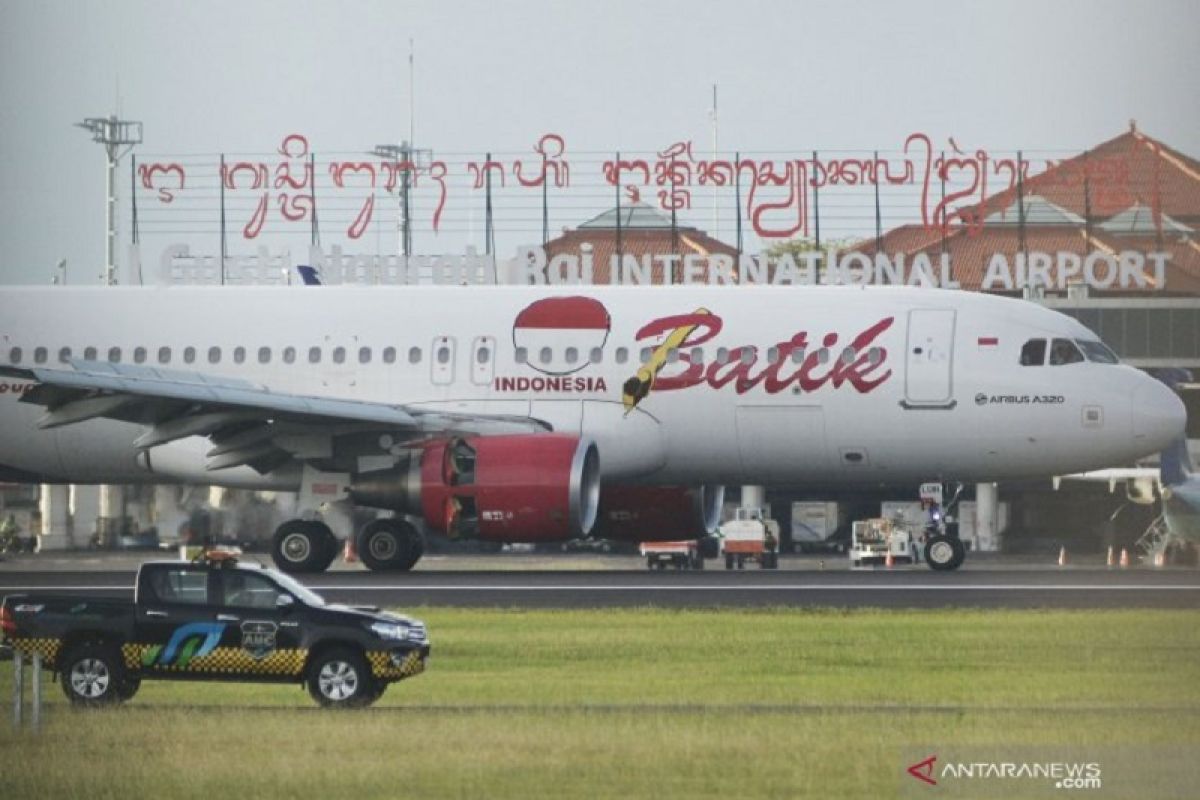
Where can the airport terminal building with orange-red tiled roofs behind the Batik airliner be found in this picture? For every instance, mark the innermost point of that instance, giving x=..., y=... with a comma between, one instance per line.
x=1111, y=237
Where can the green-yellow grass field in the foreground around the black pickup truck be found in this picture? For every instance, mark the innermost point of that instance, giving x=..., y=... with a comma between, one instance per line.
x=646, y=703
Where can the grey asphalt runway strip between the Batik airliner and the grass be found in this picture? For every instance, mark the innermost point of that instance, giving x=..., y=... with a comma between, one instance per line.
x=802, y=584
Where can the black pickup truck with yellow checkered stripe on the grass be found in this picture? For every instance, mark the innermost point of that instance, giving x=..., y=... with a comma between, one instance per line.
x=215, y=619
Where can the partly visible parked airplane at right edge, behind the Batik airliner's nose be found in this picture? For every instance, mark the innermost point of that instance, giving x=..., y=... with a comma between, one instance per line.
x=1174, y=484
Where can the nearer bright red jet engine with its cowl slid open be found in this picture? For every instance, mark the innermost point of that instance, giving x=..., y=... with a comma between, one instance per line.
x=508, y=489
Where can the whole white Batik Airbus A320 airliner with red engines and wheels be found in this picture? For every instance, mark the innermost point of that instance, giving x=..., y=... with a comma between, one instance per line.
x=525, y=414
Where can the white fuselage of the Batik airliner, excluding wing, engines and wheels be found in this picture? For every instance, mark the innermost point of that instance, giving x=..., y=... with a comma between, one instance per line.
x=935, y=388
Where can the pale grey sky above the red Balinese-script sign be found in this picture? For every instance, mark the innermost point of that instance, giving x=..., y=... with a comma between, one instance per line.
x=637, y=76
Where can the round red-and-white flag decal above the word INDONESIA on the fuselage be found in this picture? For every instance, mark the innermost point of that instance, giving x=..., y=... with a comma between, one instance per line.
x=559, y=334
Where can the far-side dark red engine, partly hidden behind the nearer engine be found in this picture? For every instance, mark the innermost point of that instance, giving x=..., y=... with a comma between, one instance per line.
x=645, y=514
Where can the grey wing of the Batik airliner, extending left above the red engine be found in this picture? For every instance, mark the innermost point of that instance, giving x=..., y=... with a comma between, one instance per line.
x=248, y=423
